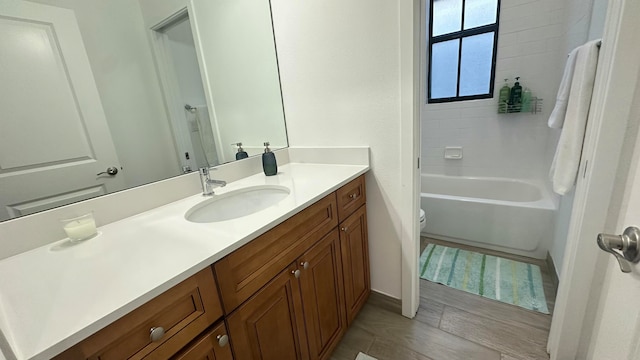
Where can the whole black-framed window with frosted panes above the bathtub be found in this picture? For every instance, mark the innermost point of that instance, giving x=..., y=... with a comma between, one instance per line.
x=463, y=36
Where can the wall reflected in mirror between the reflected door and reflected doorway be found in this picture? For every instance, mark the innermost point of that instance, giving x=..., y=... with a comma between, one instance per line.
x=120, y=57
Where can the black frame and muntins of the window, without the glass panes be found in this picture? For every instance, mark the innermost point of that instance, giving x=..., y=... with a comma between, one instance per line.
x=459, y=35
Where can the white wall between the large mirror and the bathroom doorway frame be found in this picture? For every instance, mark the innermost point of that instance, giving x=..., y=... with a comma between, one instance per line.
x=340, y=73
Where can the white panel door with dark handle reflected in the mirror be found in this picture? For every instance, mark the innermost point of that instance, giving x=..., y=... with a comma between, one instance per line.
x=54, y=137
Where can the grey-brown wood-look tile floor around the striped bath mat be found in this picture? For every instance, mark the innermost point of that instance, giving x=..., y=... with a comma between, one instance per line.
x=450, y=325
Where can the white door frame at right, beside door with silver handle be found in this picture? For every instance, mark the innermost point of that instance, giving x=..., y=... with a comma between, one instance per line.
x=582, y=271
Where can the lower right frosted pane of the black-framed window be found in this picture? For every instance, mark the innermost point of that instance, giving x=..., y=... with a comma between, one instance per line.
x=475, y=67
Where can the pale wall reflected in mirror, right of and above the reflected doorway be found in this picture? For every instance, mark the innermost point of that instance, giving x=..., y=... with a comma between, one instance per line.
x=234, y=39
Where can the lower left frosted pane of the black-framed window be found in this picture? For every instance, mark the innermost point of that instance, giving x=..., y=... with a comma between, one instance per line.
x=444, y=69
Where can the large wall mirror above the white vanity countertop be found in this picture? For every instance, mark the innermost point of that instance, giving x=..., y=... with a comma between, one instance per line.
x=98, y=96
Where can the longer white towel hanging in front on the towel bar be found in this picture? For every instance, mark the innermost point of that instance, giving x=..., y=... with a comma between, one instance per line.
x=567, y=158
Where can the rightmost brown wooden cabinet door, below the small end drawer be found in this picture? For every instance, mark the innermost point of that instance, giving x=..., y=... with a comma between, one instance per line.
x=355, y=261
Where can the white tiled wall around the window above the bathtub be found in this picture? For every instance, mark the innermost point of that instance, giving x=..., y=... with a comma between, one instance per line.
x=504, y=145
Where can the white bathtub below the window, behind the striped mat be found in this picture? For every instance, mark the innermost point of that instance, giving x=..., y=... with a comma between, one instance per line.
x=510, y=215
